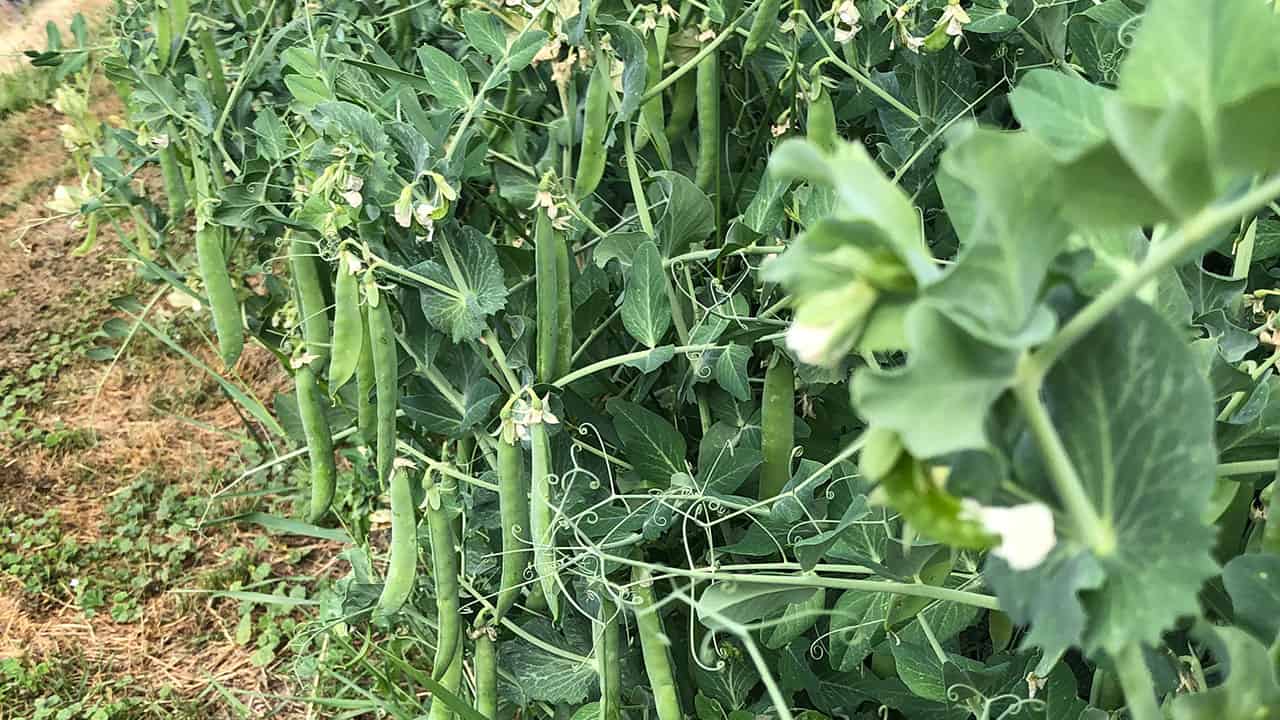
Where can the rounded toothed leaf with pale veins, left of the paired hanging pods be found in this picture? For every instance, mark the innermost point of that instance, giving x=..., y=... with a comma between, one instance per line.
x=468, y=265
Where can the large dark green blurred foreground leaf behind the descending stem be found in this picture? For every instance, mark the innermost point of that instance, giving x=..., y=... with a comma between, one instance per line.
x=1112, y=398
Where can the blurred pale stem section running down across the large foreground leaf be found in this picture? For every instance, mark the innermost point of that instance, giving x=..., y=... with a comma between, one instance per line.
x=1067, y=481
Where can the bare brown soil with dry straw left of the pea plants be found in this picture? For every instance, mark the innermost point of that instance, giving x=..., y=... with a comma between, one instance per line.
x=152, y=416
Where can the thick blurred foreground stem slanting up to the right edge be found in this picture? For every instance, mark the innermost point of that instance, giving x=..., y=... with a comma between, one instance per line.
x=1187, y=239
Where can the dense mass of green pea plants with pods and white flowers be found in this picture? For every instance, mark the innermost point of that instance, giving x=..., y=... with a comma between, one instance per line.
x=723, y=359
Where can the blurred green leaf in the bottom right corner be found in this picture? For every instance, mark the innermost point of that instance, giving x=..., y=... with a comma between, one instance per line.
x=1251, y=689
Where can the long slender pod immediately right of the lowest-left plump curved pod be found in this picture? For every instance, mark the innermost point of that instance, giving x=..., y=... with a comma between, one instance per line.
x=445, y=573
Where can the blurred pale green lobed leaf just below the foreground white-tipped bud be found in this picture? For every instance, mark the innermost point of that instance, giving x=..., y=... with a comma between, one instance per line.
x=939, y=404
